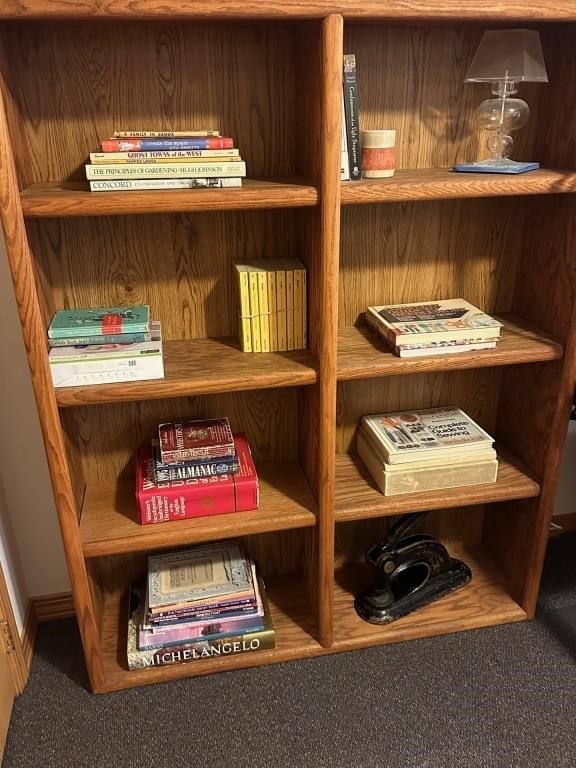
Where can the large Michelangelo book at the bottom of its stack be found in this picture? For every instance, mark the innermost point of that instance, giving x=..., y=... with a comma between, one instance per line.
x=196, y=650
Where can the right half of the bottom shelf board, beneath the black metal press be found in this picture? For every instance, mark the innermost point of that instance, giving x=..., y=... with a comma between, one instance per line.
x=485, y=601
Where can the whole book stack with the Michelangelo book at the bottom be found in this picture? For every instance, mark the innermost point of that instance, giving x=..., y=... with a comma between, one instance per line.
x=198, y=603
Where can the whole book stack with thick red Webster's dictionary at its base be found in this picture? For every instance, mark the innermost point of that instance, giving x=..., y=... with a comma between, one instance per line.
x=195, y=469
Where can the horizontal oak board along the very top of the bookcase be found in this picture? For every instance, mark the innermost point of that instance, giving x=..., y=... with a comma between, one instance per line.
x=434, y=10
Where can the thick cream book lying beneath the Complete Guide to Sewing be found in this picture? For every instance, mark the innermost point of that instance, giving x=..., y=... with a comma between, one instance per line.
x=433, y=475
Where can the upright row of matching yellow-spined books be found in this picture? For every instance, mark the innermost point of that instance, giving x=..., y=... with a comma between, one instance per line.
x=272, y=312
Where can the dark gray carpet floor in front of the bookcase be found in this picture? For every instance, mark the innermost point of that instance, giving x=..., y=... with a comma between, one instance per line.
x=502, y=697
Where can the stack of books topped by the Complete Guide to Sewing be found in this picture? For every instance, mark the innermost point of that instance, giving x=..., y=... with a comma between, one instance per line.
x=426, y=450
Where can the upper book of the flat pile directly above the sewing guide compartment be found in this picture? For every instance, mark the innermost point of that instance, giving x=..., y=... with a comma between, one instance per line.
x=426, y=322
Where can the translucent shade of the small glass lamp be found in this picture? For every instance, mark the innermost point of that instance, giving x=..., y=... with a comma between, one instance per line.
x=508, y=54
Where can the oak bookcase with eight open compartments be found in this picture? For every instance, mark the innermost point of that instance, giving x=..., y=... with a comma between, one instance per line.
x=268, y=72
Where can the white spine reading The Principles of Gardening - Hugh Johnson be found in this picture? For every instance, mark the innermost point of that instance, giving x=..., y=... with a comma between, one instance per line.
x=169, y=171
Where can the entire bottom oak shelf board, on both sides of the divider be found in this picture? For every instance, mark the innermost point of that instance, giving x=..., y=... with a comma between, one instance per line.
x=484, y=602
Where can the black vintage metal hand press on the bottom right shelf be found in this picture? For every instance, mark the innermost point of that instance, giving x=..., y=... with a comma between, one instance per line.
x=411, y=571
